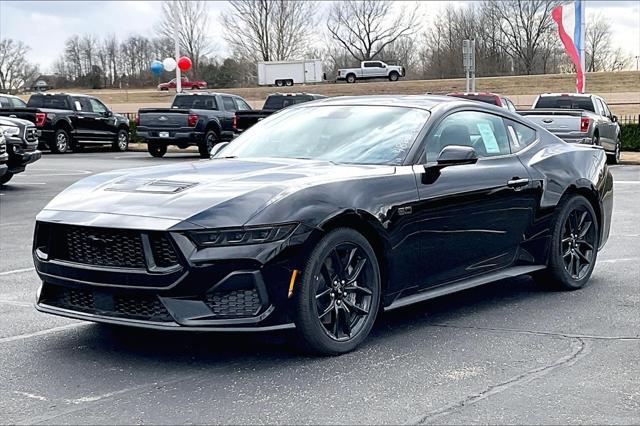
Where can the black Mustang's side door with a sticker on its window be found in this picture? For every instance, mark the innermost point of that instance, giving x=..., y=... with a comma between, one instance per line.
x=473, y=216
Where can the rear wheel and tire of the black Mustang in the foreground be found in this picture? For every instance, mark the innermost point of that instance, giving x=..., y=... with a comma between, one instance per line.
x=574, y=245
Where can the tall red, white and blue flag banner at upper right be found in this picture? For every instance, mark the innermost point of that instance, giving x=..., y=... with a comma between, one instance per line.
x=570, y=21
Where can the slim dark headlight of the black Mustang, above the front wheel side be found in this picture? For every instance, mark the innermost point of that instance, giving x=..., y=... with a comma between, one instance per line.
x=243, y=236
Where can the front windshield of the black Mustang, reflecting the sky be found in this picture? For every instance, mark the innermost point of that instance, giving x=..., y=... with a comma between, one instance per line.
x=342, y=134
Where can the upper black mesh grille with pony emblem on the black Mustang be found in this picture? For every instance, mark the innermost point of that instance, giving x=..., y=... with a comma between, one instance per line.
x=102, y=247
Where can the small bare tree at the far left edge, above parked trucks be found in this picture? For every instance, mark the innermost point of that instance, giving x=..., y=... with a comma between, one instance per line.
x=15, y=70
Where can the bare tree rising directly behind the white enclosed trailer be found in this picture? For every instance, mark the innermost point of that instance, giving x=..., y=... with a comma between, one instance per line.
x=269, y=30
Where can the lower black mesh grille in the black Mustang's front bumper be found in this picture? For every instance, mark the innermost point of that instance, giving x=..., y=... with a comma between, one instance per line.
x=147, y=308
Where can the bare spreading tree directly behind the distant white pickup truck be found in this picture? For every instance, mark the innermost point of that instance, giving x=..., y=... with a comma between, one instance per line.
x=364, y=28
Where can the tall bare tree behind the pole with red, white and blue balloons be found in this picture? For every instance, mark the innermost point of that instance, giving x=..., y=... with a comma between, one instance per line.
x=193, y=16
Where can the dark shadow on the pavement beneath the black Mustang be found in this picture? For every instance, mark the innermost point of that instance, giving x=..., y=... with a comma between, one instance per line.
x=202, y=348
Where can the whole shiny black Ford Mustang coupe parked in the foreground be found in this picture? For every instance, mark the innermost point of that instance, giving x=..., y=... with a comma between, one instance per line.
x=321, y=215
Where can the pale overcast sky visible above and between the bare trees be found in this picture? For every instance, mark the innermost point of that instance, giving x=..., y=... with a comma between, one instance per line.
x=45, y=25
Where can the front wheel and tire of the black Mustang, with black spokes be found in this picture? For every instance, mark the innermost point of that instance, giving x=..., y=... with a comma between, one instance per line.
x=337, y=300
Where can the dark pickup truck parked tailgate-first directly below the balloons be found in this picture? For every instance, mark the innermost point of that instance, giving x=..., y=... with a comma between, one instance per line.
x=200, y=118
